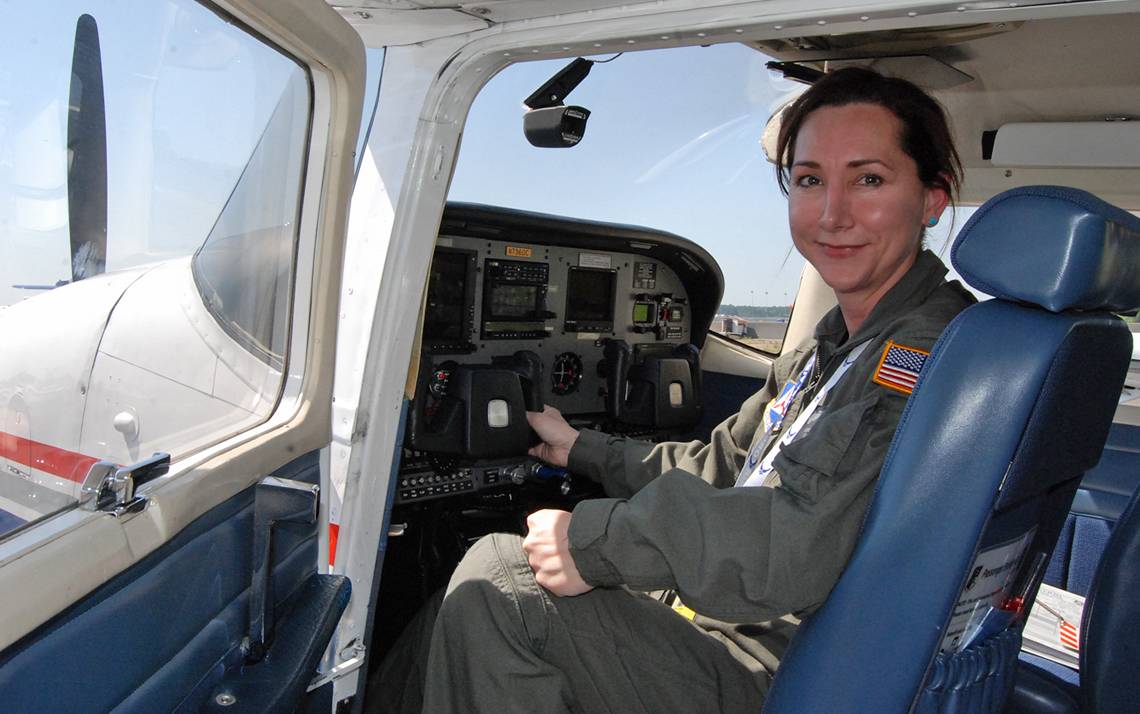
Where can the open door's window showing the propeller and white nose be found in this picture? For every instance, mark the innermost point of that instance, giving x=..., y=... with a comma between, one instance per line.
x=151, y=167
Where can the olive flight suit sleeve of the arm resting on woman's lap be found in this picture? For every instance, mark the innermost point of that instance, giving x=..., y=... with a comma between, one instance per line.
x=750, y=555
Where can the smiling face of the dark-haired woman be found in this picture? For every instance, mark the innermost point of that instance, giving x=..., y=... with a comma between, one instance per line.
x=857, y=206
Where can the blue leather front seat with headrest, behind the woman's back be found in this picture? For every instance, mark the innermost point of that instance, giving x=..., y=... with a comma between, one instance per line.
x=1013, y=408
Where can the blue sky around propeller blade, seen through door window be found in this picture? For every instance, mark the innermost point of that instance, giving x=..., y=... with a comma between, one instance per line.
x=188, y=96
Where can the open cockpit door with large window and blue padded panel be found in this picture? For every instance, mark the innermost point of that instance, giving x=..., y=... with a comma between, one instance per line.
x=177, y=555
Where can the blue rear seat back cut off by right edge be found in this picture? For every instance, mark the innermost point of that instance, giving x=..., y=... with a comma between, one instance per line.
x=1111, y=628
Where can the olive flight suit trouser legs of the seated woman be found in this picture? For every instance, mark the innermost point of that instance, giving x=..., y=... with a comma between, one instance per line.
x=503, y=644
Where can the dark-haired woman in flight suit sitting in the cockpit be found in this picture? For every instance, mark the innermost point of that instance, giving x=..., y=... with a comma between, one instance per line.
x=868, y=164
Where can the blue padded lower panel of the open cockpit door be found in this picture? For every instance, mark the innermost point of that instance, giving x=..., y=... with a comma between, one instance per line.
x=158, y=636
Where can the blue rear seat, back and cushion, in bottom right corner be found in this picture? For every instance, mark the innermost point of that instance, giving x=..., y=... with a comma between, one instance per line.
x=1110, y=638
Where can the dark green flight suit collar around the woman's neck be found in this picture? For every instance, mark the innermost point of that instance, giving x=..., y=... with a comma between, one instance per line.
x=909, y=293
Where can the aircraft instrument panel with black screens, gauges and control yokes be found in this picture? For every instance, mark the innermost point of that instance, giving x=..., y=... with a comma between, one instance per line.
x=602, y=322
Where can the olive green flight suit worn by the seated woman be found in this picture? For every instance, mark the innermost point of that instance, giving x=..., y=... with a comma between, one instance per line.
x=751, y=558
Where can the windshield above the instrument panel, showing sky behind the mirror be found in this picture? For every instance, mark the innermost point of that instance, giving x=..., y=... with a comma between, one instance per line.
x=672, y=144
